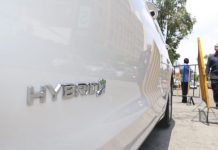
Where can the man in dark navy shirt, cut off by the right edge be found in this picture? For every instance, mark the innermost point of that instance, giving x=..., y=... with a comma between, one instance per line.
x=212, y=69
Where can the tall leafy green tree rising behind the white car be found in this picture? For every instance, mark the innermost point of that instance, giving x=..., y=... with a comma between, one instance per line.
x=175, y=23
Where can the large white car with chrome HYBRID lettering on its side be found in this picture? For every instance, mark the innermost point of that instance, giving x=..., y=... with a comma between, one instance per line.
x=81, y=74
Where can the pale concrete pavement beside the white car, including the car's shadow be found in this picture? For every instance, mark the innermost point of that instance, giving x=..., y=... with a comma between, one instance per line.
x=187, y=131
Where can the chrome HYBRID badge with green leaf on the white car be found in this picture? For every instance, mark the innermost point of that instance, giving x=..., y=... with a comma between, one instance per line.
x=69, y=91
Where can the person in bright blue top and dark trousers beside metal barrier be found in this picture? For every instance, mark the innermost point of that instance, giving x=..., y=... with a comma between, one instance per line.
x=184, y=78
